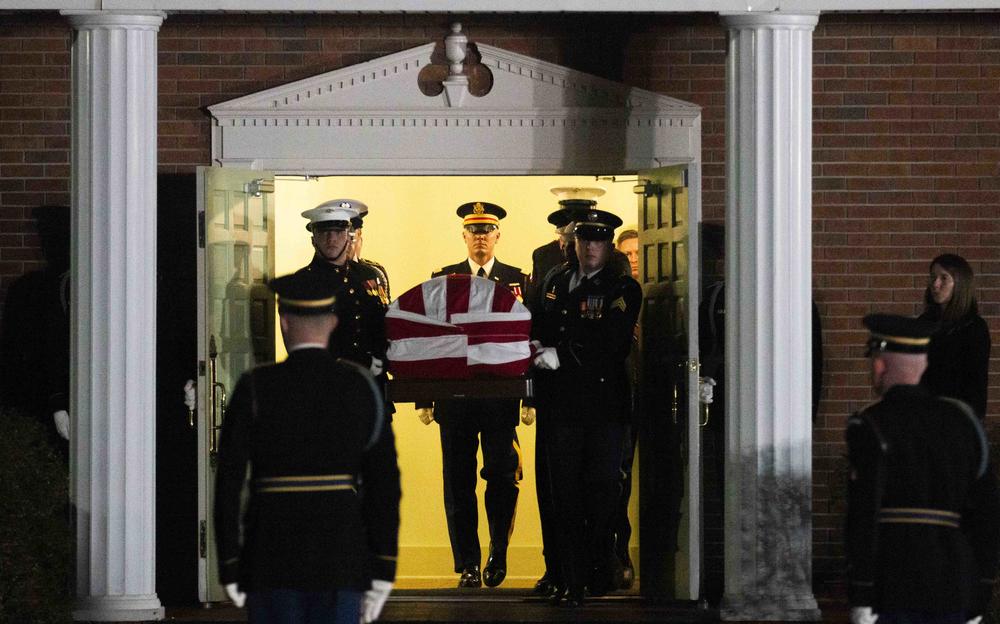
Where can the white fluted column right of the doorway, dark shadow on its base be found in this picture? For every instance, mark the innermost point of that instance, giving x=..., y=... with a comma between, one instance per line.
x=768, y=499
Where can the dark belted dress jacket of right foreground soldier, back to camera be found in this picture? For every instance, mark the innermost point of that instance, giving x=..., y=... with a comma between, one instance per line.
x=923, y=517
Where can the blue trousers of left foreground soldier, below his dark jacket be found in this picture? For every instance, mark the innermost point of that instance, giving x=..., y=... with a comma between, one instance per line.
x=292, y=606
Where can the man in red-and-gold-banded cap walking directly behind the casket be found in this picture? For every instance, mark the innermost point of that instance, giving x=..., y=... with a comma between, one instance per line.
x=465, y=423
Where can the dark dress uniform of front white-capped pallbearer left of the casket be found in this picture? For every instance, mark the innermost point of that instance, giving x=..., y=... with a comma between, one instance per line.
x=362, y=302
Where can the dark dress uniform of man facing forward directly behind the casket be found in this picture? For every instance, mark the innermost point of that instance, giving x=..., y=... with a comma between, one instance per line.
x=463, y=424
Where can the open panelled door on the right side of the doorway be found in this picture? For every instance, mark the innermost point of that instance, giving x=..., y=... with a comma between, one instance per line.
x=669, y=438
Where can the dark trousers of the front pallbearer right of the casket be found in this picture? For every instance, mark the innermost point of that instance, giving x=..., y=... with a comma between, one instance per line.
x=584, y=464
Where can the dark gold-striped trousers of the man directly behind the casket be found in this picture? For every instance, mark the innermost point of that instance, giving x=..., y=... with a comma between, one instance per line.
x=501, y=470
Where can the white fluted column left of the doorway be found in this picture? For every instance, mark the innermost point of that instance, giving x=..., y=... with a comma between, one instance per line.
x=113, y=402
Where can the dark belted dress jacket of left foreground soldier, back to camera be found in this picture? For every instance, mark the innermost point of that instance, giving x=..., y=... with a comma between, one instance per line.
x=323, y=510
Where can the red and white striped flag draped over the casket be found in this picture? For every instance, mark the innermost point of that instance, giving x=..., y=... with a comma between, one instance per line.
x=458, y=326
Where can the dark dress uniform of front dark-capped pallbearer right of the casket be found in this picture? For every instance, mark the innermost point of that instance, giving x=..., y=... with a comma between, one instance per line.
x=586, y=406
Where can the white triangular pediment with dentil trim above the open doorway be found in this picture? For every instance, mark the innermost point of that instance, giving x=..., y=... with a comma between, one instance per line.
x=537, y=118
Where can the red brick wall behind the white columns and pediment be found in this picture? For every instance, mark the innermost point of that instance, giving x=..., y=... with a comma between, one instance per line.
x=906, y=144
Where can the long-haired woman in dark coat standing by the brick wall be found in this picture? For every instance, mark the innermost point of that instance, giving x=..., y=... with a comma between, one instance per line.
x=959, y=356
